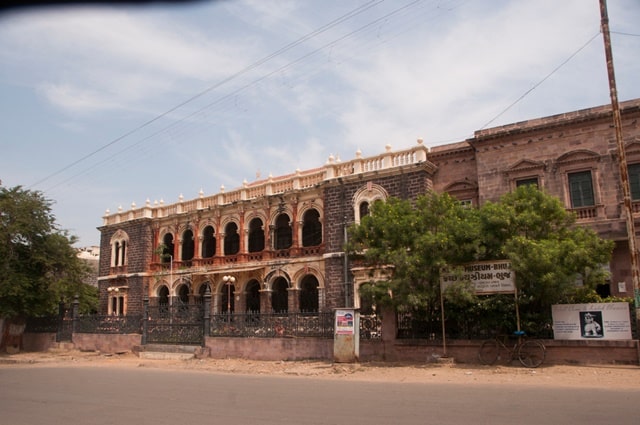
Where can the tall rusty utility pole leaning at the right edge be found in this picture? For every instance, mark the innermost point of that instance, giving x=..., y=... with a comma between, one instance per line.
x=622, y=159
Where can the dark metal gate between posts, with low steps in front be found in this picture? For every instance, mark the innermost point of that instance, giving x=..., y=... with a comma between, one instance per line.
x=175, y=324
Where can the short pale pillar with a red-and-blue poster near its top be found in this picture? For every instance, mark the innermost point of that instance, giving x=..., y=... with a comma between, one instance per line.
x=346, y=337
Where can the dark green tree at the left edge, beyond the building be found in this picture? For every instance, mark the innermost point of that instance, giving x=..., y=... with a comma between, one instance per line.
x=38, y=264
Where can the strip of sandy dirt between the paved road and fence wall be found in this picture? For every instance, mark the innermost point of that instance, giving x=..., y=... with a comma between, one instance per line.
x=612, y=376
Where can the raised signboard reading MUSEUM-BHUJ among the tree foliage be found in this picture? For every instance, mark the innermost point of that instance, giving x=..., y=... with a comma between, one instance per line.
x=487, y=277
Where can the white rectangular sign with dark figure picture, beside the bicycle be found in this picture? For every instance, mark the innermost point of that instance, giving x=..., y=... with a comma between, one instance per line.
x=591, y=321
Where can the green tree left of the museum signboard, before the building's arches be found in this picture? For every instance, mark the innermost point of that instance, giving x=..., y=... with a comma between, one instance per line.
x=416, y=240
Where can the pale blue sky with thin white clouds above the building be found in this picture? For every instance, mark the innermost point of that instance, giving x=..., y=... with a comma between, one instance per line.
x=105, y=106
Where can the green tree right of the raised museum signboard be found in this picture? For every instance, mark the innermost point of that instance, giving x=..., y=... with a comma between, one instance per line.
x=549, y=252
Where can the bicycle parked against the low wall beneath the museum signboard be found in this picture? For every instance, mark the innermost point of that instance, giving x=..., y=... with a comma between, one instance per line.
x=530, y=352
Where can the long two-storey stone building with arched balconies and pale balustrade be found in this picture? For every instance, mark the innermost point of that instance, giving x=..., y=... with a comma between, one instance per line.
x=277, y=244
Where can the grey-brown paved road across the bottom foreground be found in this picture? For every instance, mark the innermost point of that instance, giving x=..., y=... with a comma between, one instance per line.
x=86, y=395
